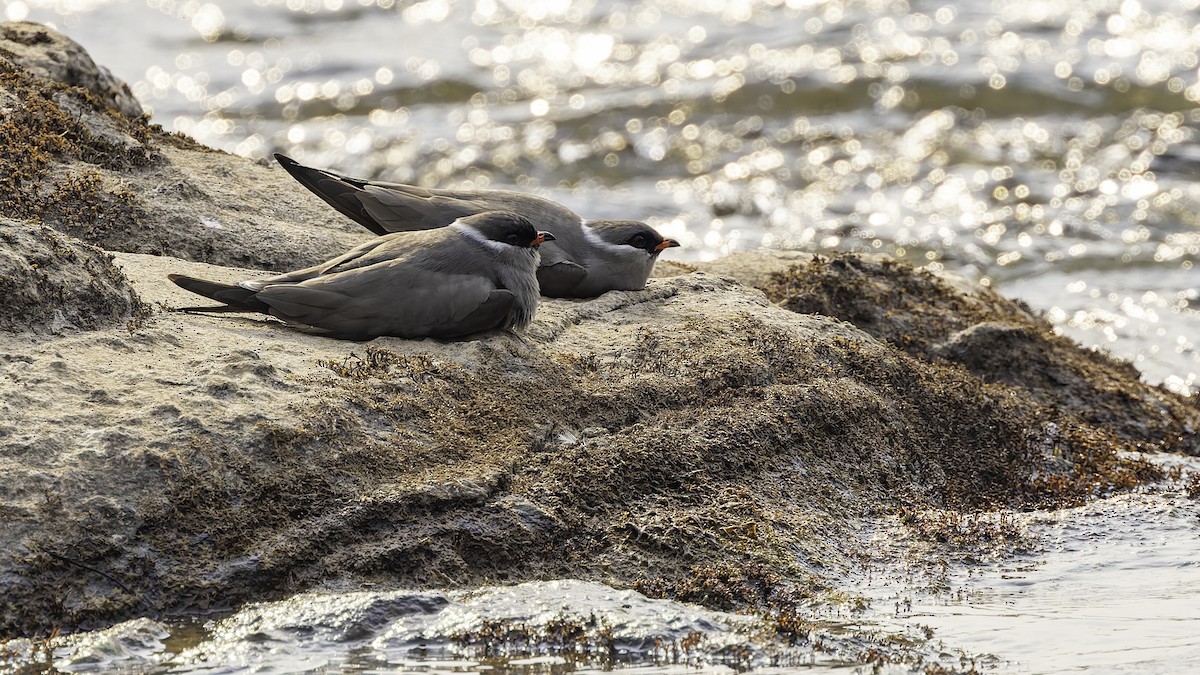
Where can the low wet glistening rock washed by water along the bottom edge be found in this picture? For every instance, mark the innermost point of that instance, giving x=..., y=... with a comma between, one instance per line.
x=538, y=628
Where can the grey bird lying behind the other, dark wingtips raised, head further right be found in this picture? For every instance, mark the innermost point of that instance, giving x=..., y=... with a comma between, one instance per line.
x=586, y=260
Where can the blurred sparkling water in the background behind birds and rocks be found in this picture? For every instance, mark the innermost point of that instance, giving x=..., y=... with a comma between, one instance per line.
x=1045, y=147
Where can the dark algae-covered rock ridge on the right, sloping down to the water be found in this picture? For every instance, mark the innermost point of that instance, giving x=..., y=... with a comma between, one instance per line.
x=946, y=319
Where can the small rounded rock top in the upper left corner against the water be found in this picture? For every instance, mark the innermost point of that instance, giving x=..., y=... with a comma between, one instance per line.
x=50, y=55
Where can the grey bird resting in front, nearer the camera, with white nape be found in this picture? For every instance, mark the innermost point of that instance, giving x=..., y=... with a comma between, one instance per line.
x=476, y=276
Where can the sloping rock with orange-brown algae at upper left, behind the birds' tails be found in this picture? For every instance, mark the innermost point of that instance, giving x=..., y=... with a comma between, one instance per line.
x=70, y=160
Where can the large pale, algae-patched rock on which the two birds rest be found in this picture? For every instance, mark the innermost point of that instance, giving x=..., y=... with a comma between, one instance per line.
x=689, y=426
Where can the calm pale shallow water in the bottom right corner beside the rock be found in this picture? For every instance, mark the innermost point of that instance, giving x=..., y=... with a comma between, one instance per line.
x=1113, y=587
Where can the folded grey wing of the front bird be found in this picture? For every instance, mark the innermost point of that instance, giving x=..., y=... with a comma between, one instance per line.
x=388, y=301
